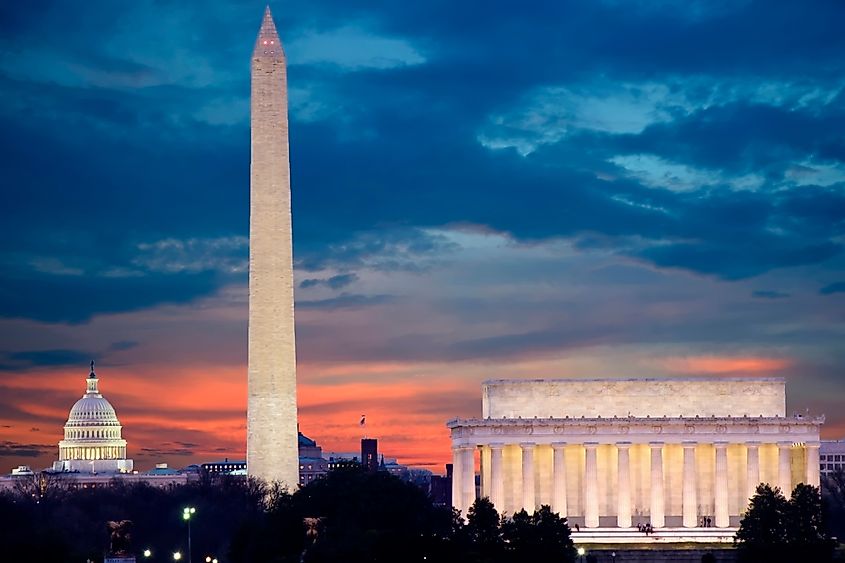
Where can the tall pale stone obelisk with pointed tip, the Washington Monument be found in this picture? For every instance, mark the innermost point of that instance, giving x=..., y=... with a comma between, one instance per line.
x=271, y=444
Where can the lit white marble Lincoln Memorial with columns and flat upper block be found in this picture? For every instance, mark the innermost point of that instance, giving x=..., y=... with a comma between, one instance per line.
x=611, y=454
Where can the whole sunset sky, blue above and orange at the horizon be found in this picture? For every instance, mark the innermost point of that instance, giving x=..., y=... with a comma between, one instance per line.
x=481, y=190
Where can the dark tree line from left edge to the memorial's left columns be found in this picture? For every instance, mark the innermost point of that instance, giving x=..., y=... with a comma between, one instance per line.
x=350, y=516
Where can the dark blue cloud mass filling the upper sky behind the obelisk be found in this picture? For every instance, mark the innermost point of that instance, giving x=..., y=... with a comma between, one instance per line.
x=108, y=144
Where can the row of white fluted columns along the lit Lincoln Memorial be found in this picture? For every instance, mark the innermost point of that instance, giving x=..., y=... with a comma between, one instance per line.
x=464, y=479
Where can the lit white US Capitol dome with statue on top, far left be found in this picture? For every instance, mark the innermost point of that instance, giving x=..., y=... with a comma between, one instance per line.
x=93, y=442
